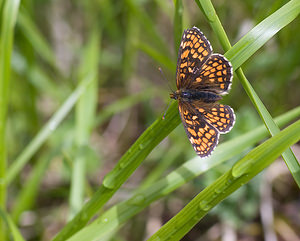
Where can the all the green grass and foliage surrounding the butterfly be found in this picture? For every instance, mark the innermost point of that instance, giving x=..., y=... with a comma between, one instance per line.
x=81, y=111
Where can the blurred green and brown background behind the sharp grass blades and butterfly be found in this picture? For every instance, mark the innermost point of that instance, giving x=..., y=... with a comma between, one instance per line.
x=123, y=43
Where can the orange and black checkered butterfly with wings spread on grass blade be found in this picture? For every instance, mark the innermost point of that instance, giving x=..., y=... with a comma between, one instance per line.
x=202, y=77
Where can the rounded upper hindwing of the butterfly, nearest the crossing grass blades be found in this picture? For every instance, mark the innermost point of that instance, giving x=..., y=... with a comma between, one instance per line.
x=215, y=75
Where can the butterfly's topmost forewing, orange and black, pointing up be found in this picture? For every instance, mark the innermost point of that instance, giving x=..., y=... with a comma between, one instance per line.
x=194, y=50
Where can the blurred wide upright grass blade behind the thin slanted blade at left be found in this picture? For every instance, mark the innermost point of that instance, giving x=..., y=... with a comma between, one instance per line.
x=85, y=115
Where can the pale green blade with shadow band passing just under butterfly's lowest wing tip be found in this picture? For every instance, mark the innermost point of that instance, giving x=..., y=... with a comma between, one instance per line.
x=113, y=219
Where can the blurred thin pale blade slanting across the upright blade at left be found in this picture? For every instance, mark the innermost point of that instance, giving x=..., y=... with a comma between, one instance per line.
x=46, y=131
